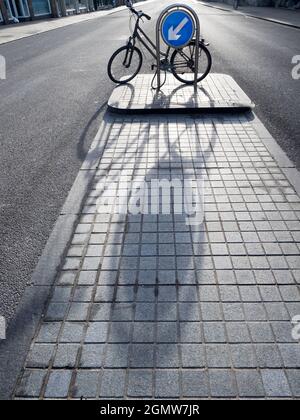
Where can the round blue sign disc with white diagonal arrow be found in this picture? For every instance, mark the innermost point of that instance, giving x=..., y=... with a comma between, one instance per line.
x=178, y=29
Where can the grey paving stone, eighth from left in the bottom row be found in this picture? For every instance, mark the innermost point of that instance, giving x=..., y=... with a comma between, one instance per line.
x=222, y=383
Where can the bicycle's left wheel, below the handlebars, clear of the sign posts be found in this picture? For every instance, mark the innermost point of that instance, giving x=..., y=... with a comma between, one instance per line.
x=125, y=64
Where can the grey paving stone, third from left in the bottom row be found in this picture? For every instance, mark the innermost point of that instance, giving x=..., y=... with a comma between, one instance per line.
x=86, y=384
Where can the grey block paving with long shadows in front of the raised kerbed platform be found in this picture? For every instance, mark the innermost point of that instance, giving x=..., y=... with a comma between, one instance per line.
x=147, y=306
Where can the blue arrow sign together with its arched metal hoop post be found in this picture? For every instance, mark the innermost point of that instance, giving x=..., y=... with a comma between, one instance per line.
x=177, y=25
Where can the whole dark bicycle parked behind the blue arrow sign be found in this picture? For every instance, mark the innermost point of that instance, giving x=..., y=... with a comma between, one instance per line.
x=129, y=58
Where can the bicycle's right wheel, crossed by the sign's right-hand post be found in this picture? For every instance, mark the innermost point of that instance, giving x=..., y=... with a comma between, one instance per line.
x=183, y=63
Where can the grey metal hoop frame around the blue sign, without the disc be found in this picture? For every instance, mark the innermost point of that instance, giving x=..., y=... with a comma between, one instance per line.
x=158, y=38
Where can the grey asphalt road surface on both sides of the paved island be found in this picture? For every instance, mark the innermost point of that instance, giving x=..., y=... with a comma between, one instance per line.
x=55, y=95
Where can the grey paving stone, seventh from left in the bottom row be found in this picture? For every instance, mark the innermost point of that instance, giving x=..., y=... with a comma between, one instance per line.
x=195, y=383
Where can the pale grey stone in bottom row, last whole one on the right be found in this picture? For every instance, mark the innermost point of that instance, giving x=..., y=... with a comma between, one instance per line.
x=275, y=383
